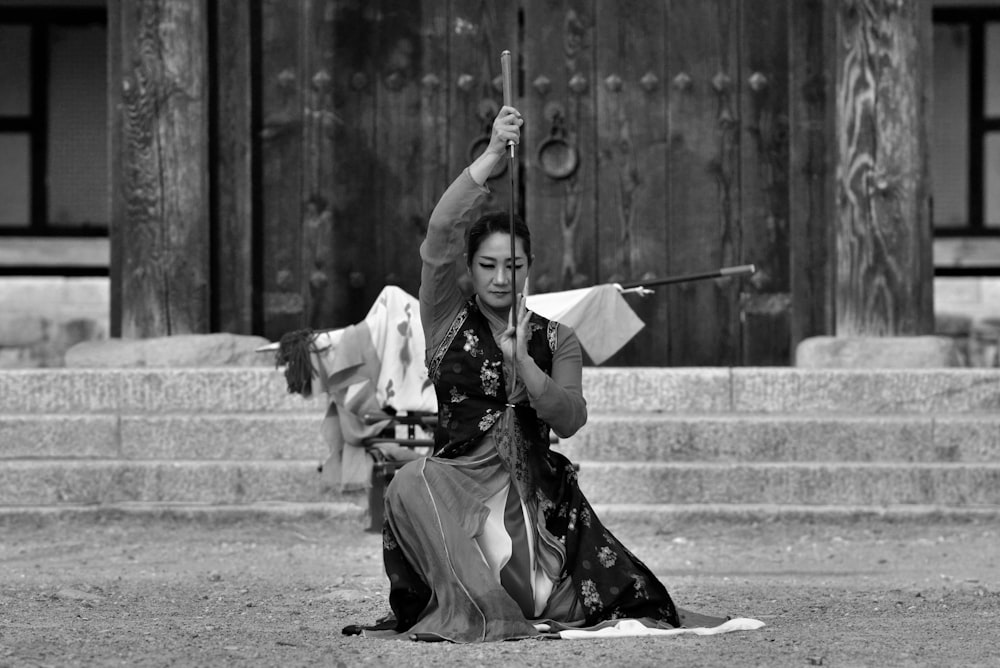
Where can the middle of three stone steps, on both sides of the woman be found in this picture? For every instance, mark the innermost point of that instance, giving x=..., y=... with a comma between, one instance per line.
x=641, y=437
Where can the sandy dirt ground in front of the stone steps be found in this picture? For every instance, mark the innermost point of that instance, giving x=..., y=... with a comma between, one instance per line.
x=275, y=591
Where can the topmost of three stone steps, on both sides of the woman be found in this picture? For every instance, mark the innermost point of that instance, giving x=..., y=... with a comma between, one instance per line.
x=609, y=390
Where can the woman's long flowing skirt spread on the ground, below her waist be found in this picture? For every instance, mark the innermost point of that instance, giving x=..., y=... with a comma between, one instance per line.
x=469, y=560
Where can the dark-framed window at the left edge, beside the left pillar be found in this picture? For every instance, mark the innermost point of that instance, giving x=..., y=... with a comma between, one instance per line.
x=54, y=203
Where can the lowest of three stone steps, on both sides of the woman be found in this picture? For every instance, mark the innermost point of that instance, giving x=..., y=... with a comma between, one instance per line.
x=53, y=482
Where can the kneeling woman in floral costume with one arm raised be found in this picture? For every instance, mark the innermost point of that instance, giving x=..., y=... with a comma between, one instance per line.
x=491, y=535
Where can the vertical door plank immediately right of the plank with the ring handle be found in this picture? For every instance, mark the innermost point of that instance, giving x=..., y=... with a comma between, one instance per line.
x=633, y=212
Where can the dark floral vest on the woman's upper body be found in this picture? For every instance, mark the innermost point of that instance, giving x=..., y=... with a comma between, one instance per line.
x=470, y=381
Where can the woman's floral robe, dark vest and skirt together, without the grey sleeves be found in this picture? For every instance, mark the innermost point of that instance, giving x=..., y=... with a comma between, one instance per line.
x=440, y=585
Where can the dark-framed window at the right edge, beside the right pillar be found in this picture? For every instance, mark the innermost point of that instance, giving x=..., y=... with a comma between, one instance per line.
x=965, y=154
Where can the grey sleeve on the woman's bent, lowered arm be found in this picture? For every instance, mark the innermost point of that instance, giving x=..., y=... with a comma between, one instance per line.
x=560, y=400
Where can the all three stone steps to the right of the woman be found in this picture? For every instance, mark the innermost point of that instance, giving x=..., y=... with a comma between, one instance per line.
x=781, y=441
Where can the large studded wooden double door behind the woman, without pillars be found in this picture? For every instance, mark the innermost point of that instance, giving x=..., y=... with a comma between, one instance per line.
x=655, y=143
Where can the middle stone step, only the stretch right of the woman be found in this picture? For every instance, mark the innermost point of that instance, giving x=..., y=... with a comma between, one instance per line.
x=791, y=438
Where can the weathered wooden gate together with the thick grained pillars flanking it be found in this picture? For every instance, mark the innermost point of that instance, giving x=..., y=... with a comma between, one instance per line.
x=704, y=131
